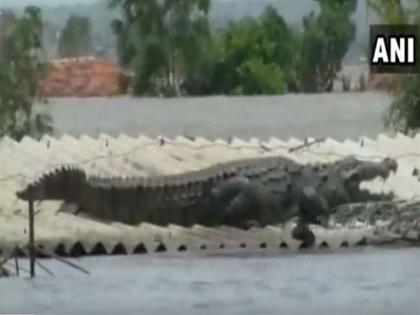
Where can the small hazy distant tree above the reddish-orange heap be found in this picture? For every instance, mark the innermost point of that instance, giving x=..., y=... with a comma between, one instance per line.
x=75, y=39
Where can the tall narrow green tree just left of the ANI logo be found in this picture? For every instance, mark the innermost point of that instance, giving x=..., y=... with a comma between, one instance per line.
x=326, y=39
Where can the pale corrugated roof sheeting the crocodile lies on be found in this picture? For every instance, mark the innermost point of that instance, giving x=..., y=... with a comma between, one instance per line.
x=24, y=161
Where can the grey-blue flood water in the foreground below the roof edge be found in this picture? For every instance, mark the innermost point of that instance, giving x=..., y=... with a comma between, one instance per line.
x=350, y=281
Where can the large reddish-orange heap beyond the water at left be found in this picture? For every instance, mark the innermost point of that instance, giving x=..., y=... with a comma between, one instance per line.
x=81, y=77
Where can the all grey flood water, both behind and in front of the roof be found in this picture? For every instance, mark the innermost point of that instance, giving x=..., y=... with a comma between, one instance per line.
x=354, y=281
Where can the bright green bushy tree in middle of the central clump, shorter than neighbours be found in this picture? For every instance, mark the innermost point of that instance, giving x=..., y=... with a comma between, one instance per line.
x=258, y=56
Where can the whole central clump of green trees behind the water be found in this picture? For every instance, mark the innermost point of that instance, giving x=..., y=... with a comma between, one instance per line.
x=171, y=49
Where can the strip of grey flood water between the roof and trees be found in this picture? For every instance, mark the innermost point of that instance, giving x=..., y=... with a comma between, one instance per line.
x=337, y=115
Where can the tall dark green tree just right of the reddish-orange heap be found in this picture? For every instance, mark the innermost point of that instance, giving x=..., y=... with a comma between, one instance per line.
x=161, y=41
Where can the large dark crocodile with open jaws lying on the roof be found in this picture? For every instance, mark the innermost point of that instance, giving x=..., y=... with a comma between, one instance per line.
x=242, y=193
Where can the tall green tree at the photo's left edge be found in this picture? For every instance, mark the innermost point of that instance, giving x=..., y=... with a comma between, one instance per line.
x=20, y=71
